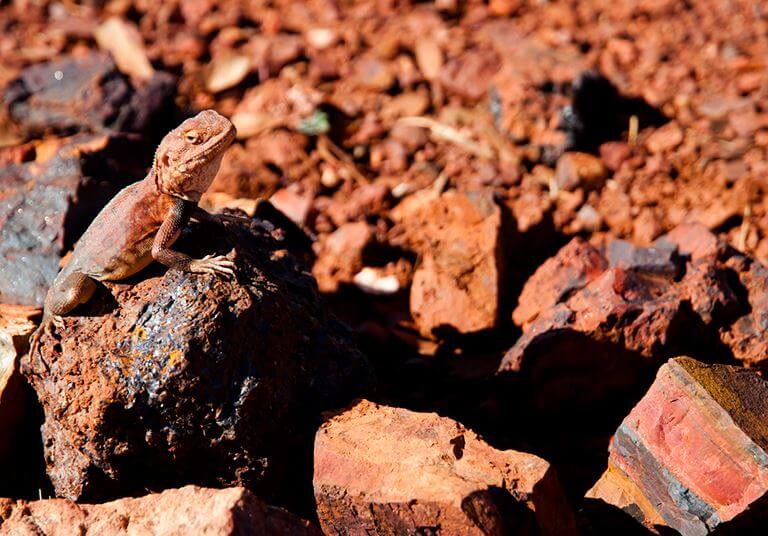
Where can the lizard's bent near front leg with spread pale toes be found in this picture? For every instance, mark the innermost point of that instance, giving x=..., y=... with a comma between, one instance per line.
x=166, y=236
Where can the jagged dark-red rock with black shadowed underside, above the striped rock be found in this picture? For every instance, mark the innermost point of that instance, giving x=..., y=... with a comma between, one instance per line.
x=617, y=327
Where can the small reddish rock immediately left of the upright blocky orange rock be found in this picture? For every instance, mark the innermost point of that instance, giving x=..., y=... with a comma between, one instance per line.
x=340, y=255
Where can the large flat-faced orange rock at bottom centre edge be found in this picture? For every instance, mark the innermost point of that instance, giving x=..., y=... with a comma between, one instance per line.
x=386, y=470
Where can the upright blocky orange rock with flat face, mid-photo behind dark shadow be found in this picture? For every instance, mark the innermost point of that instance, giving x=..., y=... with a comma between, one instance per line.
x=456, y=288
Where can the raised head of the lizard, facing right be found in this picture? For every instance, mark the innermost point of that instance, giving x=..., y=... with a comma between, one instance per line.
x=189, y=156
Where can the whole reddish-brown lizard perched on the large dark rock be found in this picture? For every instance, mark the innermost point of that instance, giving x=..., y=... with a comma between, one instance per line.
x=142, y=222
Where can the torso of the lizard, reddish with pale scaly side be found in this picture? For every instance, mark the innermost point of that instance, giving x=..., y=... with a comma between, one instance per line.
x=118, y=242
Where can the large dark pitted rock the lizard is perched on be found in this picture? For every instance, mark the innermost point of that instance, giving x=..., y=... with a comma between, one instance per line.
x=180, y=378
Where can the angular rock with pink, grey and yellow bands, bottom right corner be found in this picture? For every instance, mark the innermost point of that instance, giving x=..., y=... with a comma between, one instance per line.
x=693, y=453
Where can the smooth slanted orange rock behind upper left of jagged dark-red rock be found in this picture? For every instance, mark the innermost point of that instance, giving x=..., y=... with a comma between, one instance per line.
x=575, y=265
